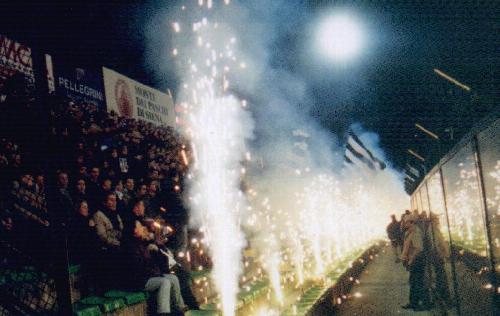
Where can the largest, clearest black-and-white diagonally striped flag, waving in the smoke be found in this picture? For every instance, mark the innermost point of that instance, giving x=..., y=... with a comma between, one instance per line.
x=357, y=153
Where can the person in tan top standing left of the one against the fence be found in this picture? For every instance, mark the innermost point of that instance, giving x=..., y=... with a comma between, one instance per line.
x=413, y=258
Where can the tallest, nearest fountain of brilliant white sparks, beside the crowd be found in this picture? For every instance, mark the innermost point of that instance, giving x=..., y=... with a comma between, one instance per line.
x=218, y=142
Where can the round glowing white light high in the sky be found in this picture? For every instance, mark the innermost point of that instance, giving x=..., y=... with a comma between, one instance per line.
x=340, y=37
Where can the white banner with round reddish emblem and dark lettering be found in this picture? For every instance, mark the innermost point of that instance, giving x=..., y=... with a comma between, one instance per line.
x=132, y=99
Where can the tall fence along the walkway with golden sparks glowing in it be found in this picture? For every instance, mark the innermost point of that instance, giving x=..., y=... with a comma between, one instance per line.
x=463, y=190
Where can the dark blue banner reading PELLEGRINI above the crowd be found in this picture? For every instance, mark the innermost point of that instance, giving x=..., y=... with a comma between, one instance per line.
x=79, y=84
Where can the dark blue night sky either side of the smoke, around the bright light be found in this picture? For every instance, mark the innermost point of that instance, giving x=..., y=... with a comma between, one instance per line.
x=390, y=89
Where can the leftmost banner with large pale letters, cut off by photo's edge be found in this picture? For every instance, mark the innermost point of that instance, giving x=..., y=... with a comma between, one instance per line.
x=15, y=58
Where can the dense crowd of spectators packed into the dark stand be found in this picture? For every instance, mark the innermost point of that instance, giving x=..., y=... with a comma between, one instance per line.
x=117, y=190
